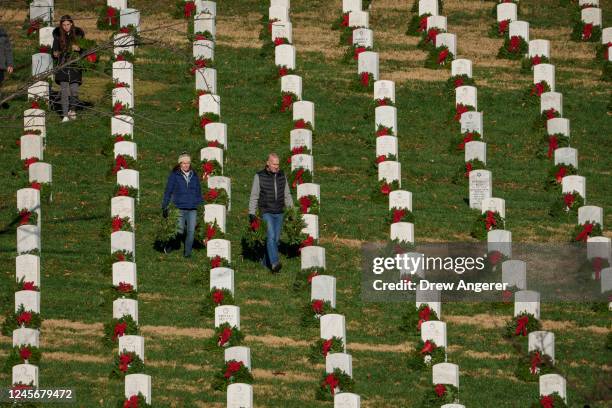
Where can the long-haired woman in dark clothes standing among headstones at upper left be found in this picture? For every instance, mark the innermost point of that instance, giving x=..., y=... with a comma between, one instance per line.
x=65, y=45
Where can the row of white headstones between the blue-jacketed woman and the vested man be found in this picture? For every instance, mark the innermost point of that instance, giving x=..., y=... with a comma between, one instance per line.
x=237, y=394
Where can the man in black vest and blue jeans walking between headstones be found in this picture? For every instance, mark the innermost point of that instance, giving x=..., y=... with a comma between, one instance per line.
x=270, y=194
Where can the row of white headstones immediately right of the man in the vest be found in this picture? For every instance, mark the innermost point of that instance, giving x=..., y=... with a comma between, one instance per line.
x=323, y=287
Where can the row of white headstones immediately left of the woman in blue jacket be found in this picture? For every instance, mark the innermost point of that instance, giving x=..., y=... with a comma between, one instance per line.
x=125, y=272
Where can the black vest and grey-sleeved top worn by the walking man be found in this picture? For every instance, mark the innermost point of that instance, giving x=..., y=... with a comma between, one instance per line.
x=270, y=193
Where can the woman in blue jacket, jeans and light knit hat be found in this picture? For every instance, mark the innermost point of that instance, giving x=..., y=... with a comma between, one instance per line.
x=183, y=188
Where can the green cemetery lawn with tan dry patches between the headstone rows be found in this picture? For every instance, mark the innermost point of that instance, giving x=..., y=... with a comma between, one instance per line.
x=75, y=267
